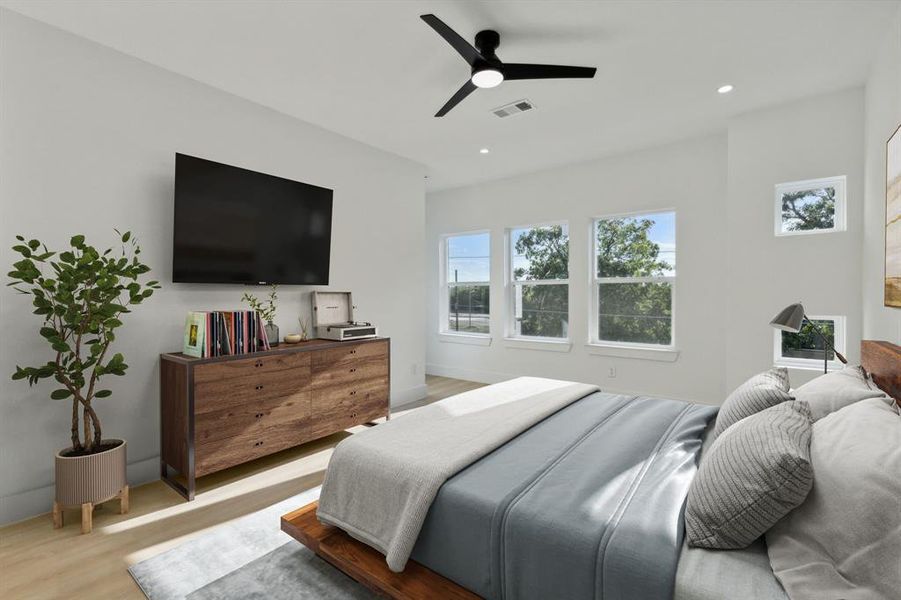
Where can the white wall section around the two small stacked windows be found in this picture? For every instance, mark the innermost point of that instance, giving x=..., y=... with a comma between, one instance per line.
x=809, y=139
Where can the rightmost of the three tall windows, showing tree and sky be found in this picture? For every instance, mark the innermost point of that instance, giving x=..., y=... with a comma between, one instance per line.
x=634, y=269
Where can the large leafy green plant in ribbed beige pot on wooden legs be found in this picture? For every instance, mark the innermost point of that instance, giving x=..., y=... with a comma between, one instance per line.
x=80, y=295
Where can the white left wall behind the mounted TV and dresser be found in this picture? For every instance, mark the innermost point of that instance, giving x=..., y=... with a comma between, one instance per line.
x=88, y=144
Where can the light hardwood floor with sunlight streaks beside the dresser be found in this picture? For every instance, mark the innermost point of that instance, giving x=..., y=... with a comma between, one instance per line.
x=38, y=562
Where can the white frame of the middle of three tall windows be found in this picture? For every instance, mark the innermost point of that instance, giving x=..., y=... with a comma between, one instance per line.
x=510, y=284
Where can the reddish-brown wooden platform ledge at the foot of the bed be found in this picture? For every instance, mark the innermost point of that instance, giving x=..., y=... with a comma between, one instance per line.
x=365, y=564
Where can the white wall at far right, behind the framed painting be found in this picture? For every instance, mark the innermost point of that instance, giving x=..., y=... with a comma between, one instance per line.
x=883, y=116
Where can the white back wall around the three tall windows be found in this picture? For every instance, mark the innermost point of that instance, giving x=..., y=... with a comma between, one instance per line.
x=689, y=177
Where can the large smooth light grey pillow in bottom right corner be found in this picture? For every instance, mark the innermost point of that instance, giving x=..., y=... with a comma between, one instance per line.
x=844, y=541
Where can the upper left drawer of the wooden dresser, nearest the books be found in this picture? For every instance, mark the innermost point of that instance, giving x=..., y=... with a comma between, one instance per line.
x=210, y=396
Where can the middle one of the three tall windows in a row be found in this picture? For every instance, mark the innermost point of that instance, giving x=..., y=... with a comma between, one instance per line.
x=539, y=281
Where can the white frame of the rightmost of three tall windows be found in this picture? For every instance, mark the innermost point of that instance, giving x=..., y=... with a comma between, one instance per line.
x=594, y=282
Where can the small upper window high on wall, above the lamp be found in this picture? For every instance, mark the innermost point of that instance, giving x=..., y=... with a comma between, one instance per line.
x=812, y=206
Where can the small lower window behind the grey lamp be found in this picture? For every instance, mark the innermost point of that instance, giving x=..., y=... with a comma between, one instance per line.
x=804, y=350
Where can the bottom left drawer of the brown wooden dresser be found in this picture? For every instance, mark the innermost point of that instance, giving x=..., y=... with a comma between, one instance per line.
x=215, y=455
